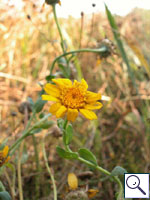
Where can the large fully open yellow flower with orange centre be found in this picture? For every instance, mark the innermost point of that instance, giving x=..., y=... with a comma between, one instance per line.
x=71, y=99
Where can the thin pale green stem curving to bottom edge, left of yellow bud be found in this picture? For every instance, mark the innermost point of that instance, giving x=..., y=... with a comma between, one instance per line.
x=49, y=171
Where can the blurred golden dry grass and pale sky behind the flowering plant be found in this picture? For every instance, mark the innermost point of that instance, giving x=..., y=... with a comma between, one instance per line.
x=29, y=42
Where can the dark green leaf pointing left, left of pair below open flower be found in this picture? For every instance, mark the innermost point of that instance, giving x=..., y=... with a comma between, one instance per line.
x=65, y=154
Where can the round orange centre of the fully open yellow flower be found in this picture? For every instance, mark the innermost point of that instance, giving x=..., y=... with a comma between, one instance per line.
x=73, y=98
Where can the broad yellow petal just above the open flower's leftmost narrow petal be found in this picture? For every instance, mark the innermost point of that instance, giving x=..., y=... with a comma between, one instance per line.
x=52, y=90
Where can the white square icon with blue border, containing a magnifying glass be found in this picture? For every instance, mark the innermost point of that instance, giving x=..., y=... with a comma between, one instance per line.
x=136, y=185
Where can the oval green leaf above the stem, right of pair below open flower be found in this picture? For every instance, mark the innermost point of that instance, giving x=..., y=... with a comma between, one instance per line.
x=87, y=155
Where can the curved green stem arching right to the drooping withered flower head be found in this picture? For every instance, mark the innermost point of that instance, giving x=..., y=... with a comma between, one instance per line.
x=101, y=50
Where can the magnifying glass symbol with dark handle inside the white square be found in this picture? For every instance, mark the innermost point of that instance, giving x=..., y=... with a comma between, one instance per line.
x=133, y=182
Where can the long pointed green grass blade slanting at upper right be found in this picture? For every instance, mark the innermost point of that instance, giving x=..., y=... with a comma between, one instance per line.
x=120, y=44
